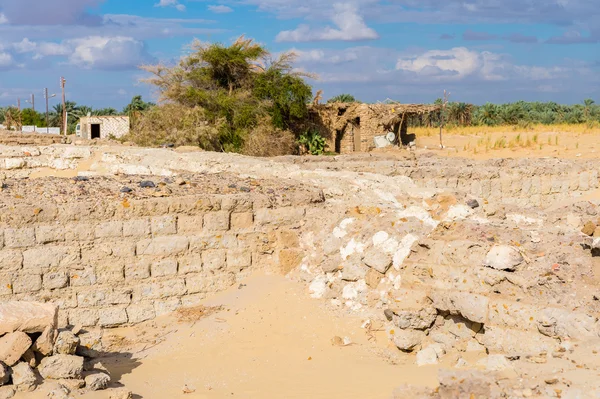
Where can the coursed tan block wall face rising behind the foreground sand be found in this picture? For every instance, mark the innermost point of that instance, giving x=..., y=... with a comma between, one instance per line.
x=110, y=264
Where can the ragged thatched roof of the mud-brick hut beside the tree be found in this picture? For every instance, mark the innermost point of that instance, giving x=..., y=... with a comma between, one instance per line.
x=338, y=115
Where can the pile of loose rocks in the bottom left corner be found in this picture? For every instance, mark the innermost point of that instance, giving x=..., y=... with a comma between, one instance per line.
x=34, y=353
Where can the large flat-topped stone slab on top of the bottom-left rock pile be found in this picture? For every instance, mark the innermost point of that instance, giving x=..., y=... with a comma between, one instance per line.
x=28, y=317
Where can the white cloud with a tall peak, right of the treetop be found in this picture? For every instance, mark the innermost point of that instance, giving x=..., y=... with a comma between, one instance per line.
x=350, y=27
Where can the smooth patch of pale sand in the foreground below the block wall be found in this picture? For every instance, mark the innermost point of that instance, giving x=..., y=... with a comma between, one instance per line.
x=270, y=340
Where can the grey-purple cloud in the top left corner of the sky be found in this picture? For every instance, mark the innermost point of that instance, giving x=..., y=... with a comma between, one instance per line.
x=55, y=12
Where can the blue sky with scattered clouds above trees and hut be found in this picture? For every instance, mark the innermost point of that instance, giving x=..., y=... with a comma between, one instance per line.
x=406, y=50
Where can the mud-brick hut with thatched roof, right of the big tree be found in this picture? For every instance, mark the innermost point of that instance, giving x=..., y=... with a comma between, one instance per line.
x=352, y=127
